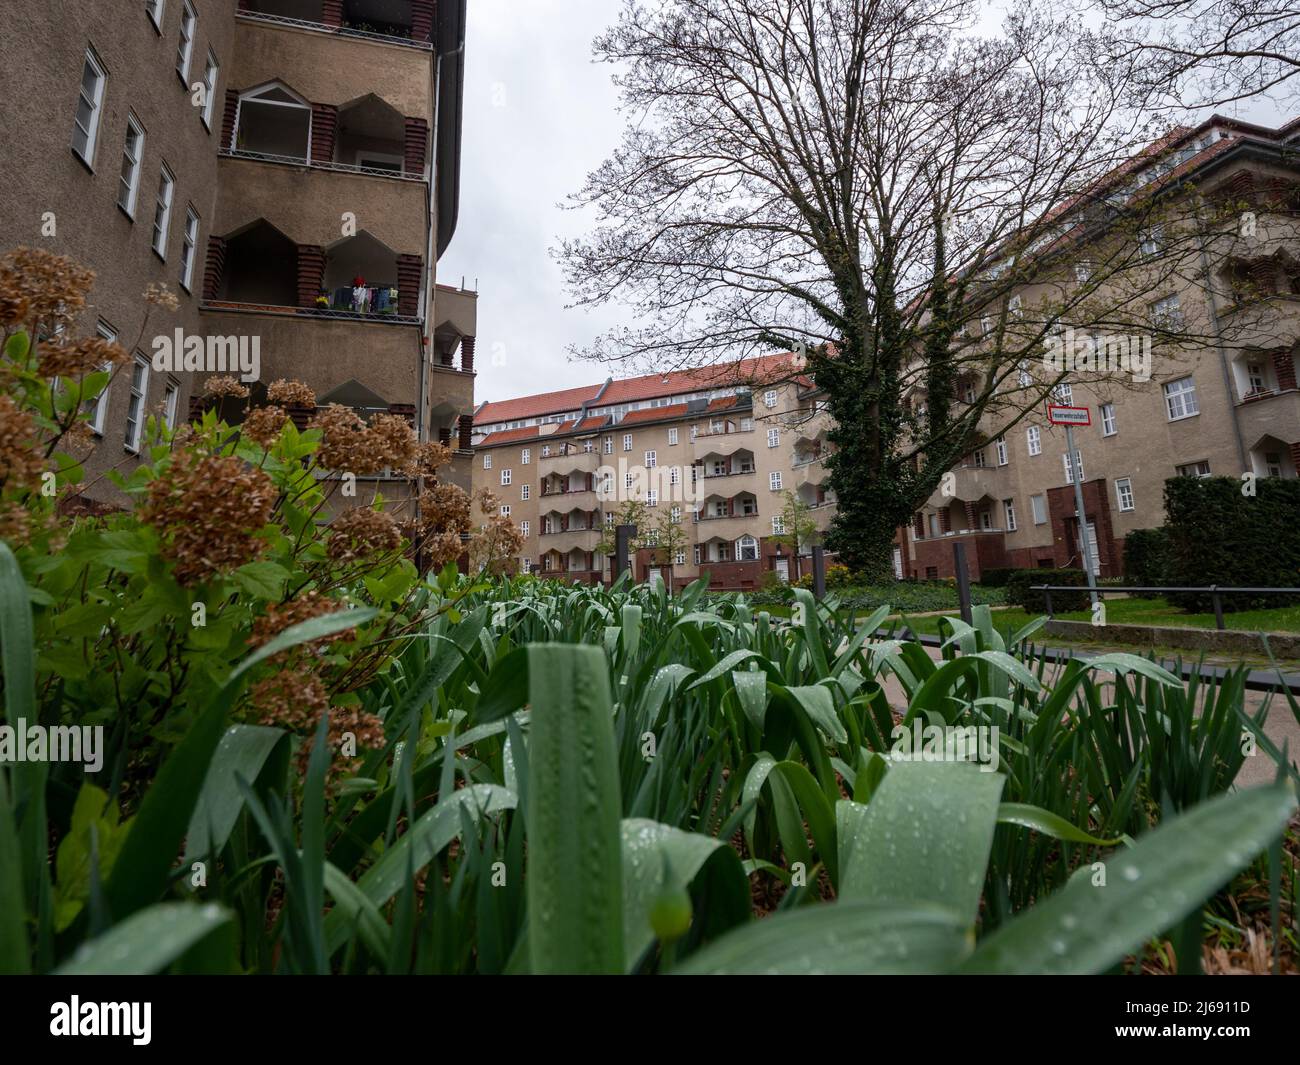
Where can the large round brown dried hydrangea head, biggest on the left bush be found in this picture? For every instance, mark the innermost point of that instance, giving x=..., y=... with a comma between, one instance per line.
x=209, y=514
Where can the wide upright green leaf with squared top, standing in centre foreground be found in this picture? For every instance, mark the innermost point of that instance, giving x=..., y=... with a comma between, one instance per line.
x=575, y=880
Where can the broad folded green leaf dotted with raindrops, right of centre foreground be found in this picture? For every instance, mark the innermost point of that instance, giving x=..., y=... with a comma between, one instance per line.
x=926, y=837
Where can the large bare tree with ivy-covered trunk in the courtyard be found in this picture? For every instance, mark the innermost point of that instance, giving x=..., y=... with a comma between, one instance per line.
x=874, y=185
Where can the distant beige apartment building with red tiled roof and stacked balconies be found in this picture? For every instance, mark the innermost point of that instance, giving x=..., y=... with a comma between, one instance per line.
x=714, y=451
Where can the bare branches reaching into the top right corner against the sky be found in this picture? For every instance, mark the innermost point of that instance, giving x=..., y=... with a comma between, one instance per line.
x=1208, y=53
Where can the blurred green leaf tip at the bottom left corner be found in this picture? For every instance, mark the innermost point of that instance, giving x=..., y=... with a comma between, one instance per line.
x=149, y=942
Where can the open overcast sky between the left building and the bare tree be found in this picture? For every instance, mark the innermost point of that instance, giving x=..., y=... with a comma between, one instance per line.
x=539, y=116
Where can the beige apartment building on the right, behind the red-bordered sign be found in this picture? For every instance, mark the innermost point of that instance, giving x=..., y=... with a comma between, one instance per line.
x=1229, y=408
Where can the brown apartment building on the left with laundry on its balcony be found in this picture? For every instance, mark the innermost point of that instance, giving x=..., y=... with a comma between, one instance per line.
x=289, y=168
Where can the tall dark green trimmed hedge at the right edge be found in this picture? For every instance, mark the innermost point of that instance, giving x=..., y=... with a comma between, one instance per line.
x=1217, y=535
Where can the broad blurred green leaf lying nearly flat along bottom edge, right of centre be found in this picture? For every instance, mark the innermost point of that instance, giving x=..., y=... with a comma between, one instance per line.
x=839, y=940
